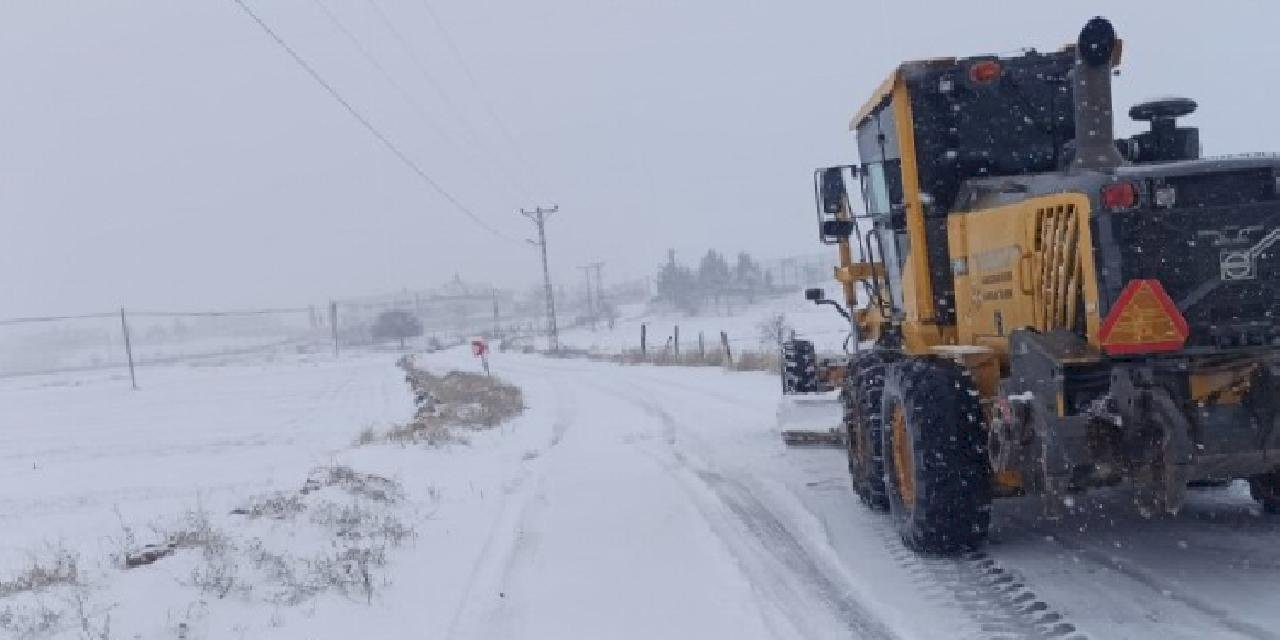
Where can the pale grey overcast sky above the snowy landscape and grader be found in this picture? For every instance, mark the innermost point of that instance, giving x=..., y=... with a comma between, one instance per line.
x=168, y=154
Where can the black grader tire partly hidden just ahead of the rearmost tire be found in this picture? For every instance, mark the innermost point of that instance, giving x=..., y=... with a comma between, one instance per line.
x=865, y=388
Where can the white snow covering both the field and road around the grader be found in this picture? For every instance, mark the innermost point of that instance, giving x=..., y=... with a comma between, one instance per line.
x=628, y=502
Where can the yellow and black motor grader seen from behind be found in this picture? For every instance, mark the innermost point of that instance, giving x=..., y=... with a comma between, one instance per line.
x=1041, y=309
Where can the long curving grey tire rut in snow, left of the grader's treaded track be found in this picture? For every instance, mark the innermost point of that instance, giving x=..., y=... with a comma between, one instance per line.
x=771, y=536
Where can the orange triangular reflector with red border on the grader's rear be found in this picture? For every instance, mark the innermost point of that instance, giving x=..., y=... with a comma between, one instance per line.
x=1144, y=321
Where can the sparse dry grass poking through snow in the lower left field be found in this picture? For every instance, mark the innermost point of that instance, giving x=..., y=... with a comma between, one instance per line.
x=335, y=534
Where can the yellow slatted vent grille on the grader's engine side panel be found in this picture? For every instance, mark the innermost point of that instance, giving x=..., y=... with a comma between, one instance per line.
x=1057, y=269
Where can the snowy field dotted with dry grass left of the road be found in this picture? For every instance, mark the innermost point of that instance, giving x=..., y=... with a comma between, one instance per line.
x=346, y=550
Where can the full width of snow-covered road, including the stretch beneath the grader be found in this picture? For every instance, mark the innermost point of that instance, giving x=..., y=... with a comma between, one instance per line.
x=670, y=509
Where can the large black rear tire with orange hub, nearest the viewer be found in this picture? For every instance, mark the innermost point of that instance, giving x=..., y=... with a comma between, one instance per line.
x=939, y=481
